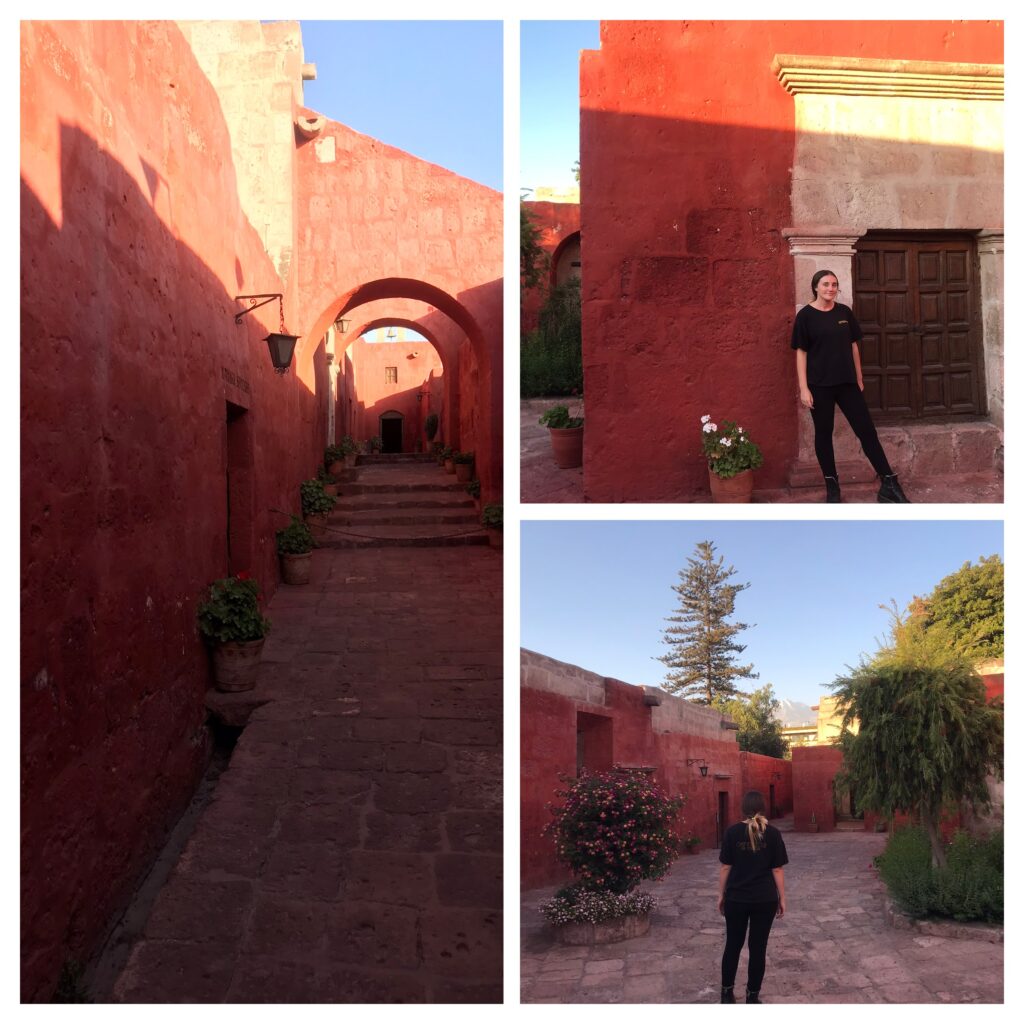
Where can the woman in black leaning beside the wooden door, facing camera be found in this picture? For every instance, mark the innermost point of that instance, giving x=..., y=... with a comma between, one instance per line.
x=826, y=335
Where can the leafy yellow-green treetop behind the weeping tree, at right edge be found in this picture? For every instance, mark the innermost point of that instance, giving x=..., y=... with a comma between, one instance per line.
x=969, y=605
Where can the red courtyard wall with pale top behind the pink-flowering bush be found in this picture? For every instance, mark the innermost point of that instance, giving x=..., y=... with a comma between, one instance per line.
x=621, y=729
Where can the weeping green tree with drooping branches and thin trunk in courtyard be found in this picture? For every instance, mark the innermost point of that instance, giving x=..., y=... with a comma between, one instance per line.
x=926, y=739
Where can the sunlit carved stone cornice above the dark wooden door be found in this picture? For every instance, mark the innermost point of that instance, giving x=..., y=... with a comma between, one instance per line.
x=870, y=77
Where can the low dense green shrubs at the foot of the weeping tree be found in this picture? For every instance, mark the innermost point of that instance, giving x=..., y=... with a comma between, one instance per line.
x=969, y=888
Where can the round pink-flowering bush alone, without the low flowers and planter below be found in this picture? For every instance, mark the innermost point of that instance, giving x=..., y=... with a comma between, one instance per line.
x=615, y=830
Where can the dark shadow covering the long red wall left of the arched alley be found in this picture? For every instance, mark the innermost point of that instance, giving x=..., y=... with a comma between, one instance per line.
x=132, y=363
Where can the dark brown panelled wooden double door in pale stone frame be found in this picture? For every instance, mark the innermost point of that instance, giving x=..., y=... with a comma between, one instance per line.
x=917, y=300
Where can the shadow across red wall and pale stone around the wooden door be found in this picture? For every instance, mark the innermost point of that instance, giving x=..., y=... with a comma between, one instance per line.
x=689, y=283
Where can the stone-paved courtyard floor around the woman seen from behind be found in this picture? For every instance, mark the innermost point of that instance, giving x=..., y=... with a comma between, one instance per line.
x=832, y=947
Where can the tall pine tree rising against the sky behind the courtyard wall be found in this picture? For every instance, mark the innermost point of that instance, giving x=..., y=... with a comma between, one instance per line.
x=702, y=639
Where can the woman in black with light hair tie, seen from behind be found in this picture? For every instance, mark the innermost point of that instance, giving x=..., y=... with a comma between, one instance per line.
x=751, y=893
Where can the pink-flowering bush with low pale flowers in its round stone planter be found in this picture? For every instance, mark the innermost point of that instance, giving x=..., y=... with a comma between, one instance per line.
x=614, y=830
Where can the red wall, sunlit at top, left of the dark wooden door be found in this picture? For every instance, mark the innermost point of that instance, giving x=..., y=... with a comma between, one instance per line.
x=687, y=149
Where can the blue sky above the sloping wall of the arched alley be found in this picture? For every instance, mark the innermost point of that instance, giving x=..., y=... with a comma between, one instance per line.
x=432, y=89
